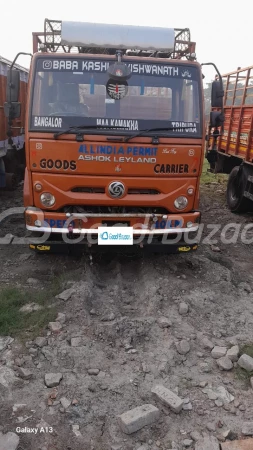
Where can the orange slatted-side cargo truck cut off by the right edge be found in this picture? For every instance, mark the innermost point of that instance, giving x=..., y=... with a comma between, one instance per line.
x=230, y=138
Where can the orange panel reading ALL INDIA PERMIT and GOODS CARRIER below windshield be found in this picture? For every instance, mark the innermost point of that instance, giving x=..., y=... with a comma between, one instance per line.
x=105, y=158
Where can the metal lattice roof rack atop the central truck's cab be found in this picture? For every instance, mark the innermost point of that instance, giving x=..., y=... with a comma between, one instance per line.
x=50, y=41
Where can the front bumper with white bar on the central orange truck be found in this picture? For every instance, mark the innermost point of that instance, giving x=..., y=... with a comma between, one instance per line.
x=67, y=233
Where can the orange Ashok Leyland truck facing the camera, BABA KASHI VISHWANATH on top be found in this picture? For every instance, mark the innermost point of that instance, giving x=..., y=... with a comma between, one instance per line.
x=115, y=138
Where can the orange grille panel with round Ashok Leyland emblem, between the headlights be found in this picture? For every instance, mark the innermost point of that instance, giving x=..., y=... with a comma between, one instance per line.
x=61, y=186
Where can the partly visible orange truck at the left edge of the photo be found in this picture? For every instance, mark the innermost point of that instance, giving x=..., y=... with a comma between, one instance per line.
x=12, y=148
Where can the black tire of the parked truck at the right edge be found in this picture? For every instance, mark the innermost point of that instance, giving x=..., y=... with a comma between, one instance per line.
x=236, y=201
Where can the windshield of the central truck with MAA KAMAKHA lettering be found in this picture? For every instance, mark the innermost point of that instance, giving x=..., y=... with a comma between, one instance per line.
x=68, y=92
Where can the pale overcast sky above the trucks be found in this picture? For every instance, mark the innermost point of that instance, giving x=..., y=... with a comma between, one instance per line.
x=222, y=30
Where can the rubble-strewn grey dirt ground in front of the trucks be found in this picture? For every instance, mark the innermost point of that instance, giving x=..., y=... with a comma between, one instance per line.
x=114, y=313
